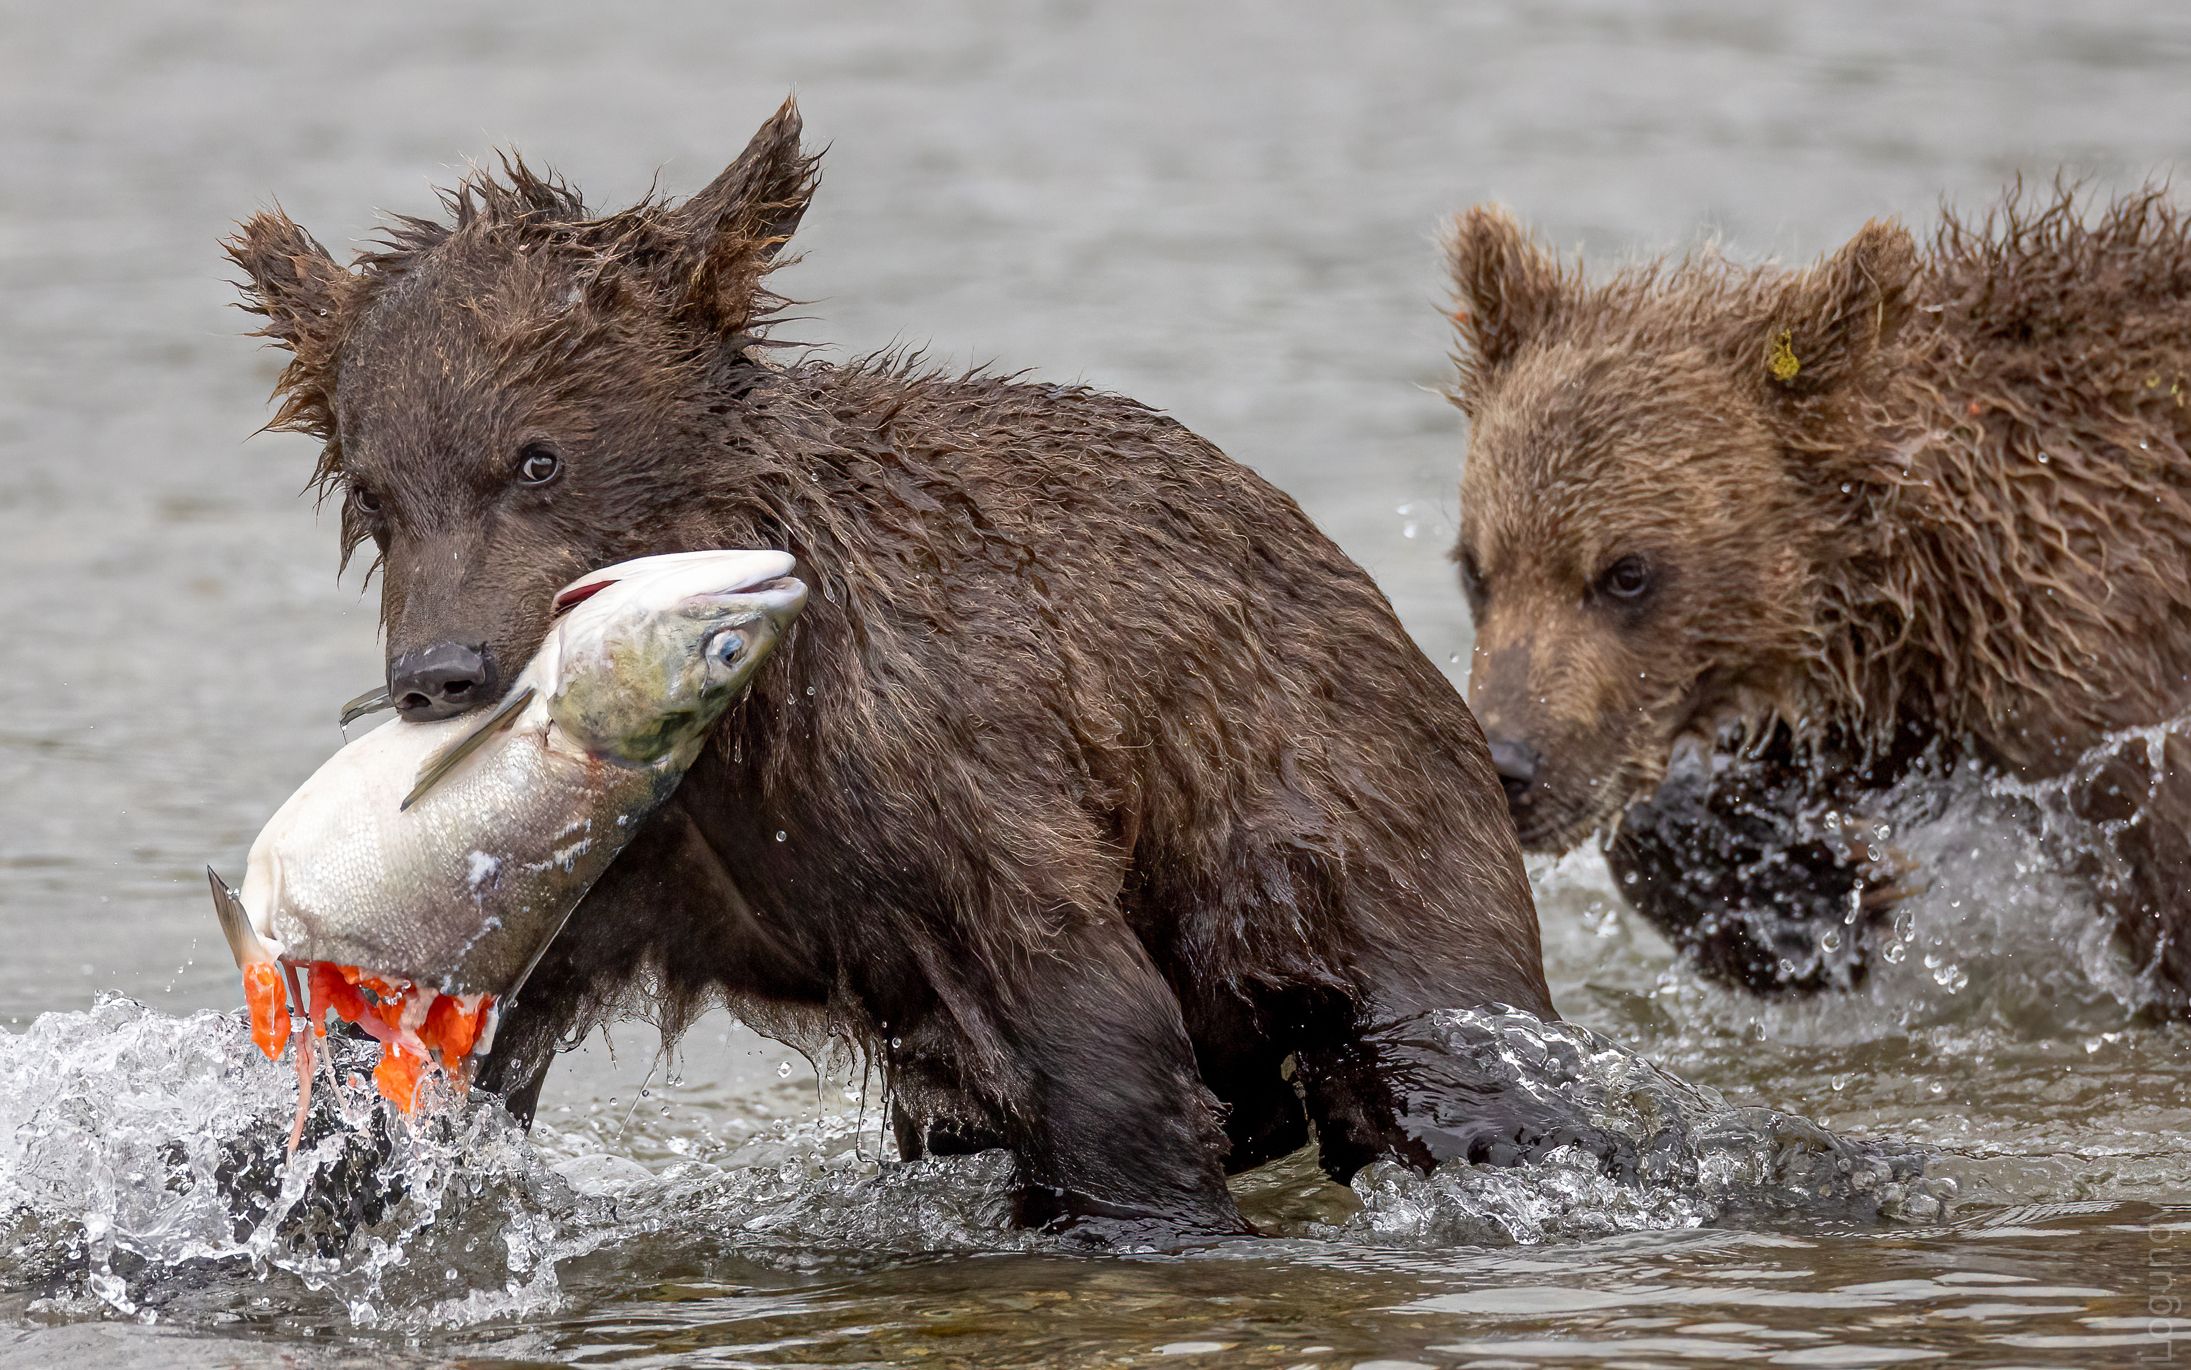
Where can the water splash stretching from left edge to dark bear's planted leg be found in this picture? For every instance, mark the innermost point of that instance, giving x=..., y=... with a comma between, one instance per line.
x=144, y=1174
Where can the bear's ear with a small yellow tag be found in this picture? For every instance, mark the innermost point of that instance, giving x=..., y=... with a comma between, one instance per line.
x=1835, y=319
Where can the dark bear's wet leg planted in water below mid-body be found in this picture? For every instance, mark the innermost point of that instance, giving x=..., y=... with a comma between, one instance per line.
x=1105, y=1106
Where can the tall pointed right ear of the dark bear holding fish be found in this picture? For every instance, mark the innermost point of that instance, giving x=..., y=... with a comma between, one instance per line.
x=733, y=231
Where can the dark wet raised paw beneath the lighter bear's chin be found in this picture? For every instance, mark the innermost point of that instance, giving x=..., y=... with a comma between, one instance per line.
x=1750, y=882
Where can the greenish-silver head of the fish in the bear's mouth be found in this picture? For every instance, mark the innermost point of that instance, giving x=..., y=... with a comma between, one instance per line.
x=647, y=654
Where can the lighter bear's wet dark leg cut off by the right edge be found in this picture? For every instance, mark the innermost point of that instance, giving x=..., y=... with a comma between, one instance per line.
x=2140, y=803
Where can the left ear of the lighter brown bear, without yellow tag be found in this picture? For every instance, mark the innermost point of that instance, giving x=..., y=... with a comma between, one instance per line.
x=1504, y=293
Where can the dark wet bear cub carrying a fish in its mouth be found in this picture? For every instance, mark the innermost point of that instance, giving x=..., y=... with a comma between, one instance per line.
x=1094, y=784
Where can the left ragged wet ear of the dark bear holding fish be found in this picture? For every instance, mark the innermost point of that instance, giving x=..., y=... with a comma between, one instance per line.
x=303, y=297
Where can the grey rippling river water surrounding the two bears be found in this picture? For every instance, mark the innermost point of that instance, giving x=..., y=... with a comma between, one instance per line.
x=1226, y=212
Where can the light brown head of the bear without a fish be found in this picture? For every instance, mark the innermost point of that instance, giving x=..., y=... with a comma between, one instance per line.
x=1660, y=468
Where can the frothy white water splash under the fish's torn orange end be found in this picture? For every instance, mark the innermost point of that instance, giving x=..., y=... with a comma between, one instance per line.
x=141, y=1169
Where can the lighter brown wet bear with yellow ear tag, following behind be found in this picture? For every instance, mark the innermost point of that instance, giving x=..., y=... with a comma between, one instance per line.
x=1903, y=510
